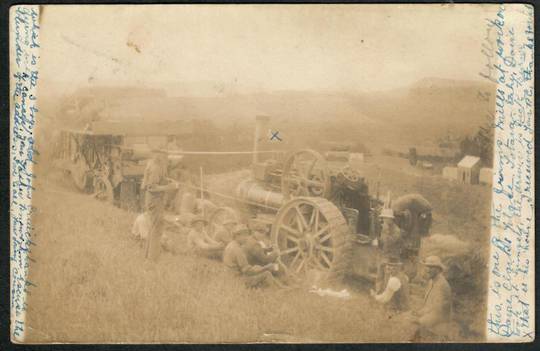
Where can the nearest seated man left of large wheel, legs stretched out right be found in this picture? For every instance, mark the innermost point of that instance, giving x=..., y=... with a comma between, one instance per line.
x=235, y=258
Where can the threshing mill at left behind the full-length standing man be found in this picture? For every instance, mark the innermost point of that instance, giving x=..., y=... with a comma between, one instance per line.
x=107, y=158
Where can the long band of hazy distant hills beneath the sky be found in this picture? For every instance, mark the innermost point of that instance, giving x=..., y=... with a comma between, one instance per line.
x=422, y=113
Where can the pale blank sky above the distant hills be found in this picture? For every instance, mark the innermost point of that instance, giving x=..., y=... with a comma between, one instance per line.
x=252, y=48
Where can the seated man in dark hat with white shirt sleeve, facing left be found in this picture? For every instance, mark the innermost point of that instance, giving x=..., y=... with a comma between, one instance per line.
x=396, y=294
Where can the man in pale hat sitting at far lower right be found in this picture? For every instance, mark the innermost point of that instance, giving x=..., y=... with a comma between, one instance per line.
x=434, y=318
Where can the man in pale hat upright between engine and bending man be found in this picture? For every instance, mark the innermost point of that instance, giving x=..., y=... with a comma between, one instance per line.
x=390, y=245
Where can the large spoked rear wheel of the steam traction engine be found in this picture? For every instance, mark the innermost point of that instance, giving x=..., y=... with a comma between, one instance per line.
x=311, y=233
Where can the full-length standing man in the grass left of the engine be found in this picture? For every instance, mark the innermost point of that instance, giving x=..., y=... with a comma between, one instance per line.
x=154, y=186
